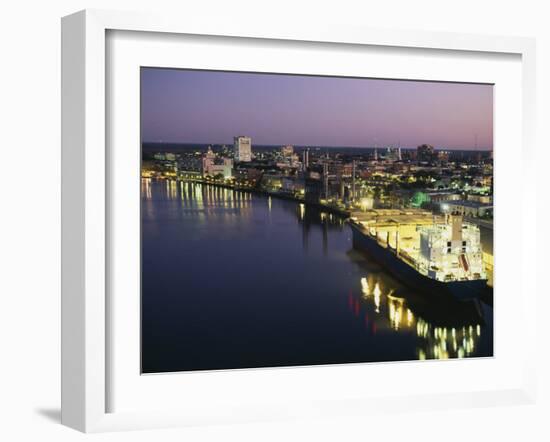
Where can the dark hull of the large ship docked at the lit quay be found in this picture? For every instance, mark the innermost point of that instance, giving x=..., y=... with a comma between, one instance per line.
x=409, y=276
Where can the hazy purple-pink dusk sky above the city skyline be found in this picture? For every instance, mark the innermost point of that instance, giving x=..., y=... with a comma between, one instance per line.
x=212, y=107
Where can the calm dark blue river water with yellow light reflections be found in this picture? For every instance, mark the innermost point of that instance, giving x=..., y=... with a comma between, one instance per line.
x=233, y=280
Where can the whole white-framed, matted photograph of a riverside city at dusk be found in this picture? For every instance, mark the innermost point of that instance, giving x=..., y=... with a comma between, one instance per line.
x=259, y=222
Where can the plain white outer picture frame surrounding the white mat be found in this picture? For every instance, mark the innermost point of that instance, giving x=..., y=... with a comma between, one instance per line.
x=85, y=201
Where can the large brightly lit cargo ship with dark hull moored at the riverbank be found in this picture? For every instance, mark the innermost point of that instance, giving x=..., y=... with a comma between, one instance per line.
x=432, y=255
